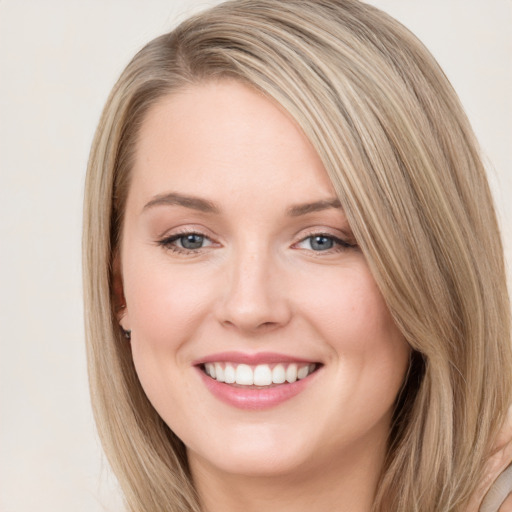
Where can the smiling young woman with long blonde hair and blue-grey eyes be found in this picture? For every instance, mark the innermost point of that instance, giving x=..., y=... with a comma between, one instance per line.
x=295, y=290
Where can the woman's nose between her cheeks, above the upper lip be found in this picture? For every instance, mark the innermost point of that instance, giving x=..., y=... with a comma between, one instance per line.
x=254, y=298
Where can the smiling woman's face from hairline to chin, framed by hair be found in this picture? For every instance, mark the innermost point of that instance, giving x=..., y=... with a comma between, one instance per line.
x=237, y=260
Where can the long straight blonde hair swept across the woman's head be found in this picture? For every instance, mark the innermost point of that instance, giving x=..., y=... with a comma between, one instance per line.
x=405, y=164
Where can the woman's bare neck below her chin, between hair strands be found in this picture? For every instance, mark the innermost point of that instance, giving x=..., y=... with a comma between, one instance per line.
x=346, y=483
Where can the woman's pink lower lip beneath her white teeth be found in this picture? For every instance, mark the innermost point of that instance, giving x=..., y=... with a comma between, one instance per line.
x=255, y=399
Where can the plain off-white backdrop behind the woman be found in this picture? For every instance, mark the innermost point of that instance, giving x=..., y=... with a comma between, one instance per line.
x=58, y=62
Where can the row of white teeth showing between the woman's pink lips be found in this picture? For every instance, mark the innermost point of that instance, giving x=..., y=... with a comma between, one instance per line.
x=258, y=376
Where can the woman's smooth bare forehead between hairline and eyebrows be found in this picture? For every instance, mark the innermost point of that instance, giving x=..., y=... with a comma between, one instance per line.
x=225, y=137
